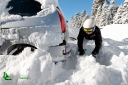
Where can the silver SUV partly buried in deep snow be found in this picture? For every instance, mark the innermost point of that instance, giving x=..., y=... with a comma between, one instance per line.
x=33, y=18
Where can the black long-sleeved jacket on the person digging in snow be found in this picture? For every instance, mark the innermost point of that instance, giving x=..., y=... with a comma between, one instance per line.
x=96, y=36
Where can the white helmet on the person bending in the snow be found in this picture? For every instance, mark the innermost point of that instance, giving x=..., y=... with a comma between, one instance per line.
x=89, y=23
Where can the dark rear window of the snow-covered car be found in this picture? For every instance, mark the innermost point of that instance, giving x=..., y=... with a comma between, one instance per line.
x=24, y=7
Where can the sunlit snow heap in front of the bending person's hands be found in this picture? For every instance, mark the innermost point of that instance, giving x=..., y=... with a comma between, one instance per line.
x=89, y=72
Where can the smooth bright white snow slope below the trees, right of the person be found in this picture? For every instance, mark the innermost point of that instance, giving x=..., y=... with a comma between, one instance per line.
x=116, y=32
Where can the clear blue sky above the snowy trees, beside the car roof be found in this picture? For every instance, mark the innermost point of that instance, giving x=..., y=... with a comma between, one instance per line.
x=70, y=7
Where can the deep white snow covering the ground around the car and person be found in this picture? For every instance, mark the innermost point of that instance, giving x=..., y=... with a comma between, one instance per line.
x=37, y=68
